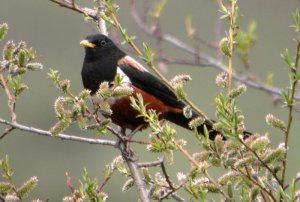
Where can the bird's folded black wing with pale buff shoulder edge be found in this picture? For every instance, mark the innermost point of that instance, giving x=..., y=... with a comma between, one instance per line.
x=144, y=80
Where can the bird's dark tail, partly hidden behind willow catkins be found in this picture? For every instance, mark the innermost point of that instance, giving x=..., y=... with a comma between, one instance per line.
x=181, y=120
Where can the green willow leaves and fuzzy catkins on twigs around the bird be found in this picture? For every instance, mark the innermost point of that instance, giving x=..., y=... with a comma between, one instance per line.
x=252, y=170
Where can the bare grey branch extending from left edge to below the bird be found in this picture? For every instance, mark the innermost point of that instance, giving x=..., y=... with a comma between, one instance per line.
x=61, y=136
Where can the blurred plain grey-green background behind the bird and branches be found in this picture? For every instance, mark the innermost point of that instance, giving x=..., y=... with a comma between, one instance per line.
x=55, y=33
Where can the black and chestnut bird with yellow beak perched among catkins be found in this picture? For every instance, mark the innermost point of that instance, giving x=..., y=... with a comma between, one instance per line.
x=104, y=59
